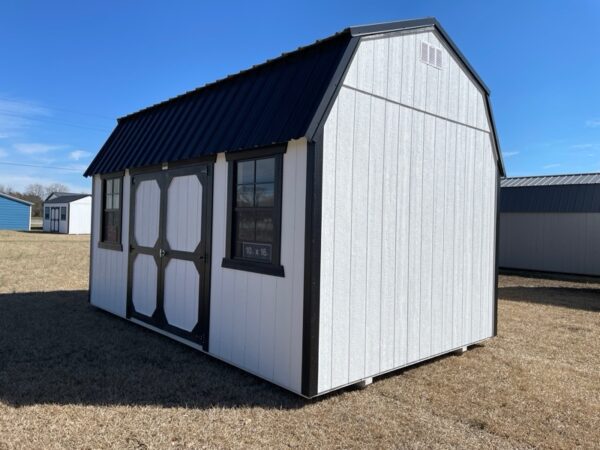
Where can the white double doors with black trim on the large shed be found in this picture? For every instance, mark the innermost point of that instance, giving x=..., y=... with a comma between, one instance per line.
x=169, y=254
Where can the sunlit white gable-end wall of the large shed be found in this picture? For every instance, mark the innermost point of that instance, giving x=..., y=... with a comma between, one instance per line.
x=407, y=250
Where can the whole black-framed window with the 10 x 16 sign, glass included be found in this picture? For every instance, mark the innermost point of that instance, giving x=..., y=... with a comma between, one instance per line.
x=254, y=211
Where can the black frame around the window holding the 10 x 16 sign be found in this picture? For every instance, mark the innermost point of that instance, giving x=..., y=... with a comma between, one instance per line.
x=230, y=261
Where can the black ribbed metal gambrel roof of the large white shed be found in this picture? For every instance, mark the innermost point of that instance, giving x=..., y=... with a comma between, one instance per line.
x=272, y=103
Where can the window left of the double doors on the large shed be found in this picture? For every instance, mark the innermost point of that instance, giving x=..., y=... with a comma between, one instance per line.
x=111, y=213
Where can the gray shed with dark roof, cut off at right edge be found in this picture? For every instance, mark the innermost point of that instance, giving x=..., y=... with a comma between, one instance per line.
x=551, y=224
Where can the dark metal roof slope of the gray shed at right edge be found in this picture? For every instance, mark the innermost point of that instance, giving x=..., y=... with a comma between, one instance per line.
x=562, y=198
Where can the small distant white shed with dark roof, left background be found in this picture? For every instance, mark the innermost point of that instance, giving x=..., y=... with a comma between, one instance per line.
x=68, y=213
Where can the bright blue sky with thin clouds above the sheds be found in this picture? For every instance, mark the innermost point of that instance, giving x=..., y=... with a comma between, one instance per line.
x=69, y=69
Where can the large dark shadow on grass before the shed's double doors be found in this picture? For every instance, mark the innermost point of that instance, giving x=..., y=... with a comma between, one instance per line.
x=56, y=348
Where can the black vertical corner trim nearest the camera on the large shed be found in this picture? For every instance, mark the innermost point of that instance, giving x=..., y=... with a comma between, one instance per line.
x=312, y=268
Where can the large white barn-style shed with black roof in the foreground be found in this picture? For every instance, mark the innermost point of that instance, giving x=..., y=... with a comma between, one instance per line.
x=317, y=220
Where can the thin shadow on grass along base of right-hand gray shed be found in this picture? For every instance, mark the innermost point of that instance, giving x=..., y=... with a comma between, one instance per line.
x=577, y=298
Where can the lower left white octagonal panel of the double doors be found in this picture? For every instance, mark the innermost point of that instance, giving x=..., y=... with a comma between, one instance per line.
x=145, y=282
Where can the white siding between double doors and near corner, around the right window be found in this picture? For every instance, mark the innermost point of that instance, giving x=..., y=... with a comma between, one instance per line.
x=256, y=320
